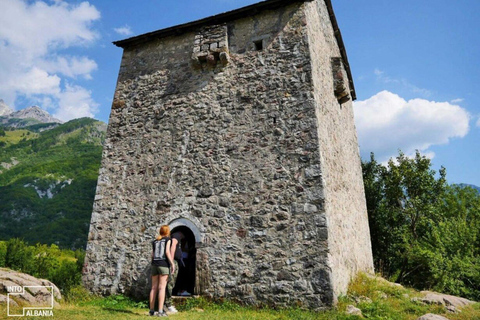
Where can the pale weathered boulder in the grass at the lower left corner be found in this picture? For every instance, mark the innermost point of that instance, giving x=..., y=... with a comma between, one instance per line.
x=34, y=295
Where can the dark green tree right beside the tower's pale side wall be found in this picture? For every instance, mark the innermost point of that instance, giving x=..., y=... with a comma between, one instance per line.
x=401, y=202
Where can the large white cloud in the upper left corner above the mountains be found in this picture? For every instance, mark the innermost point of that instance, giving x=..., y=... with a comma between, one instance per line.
x=34, y=37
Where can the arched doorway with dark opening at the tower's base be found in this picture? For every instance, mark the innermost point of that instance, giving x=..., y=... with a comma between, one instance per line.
x=186, y=280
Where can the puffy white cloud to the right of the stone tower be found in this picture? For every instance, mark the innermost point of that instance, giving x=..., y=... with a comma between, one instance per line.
x=386, y=123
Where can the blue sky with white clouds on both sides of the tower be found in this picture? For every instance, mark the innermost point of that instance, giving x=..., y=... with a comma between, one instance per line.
x=415, y=66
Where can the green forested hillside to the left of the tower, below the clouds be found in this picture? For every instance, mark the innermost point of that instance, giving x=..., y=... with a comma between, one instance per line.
x=48, y=181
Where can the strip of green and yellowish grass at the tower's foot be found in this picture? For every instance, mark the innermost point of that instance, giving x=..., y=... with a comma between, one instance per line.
x=377, y=299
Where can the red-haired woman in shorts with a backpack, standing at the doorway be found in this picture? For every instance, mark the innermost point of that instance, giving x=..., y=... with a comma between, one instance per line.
x=162, y=262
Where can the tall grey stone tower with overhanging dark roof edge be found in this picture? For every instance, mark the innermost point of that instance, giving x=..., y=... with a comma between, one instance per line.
x=238, y=131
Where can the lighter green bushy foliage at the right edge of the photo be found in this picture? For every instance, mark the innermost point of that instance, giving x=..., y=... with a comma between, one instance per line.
x=451, y=252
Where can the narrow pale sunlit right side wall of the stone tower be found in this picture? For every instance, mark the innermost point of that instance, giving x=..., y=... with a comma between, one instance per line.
x=349, y=243
